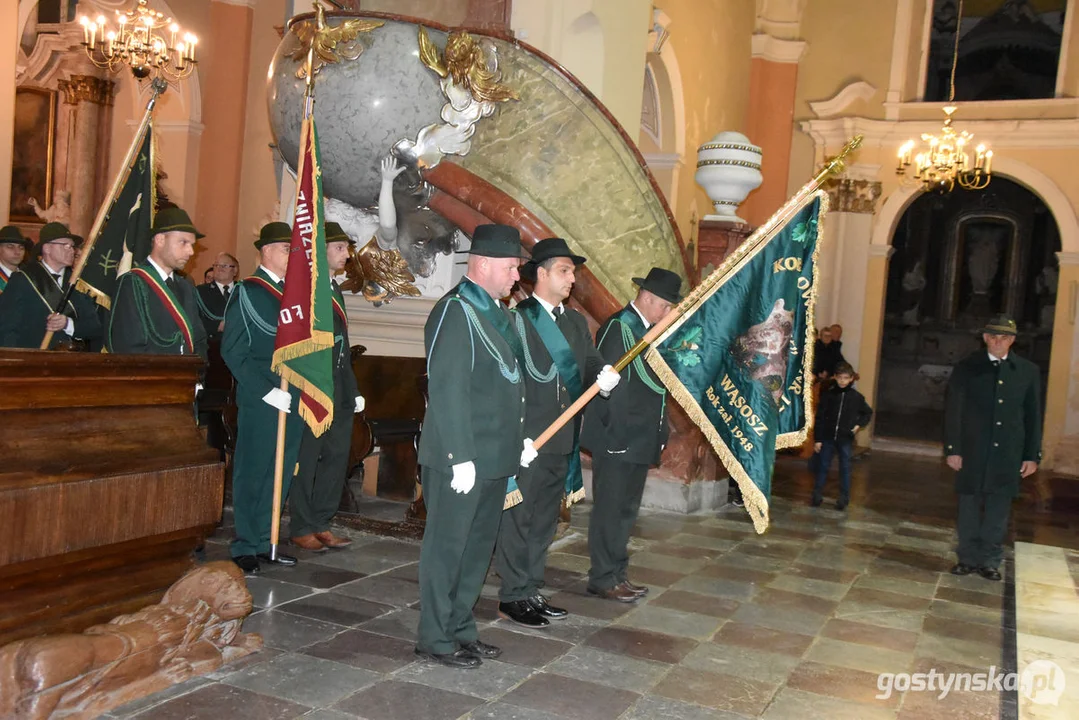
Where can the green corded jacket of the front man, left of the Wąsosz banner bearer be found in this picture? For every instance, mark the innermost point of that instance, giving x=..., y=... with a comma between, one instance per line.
x=476, y=406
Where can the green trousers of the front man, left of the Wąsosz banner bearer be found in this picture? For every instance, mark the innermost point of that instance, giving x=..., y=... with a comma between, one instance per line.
x=458, y=544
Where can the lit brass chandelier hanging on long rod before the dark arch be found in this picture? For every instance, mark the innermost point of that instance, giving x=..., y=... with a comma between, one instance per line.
x=944, y=160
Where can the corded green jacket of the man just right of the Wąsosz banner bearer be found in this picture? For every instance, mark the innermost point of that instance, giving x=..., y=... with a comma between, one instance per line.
x=633, y=424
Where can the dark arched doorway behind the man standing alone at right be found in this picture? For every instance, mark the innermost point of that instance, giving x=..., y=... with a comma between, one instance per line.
x=959, y=260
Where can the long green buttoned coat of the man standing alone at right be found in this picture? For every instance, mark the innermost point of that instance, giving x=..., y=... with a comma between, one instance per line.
x=993, y=422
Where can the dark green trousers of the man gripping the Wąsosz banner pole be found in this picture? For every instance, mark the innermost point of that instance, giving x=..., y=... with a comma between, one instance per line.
x=529, y=527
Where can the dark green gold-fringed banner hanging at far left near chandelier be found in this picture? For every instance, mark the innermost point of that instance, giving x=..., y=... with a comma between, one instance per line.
x=126, y=239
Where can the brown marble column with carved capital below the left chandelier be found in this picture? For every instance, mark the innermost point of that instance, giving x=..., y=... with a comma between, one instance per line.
x=89, y=96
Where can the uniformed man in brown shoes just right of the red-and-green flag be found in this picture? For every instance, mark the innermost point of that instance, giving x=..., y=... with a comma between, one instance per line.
x=324, y=461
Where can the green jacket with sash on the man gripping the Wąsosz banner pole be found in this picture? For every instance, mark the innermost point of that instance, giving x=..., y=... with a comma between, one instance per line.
x=547, y=393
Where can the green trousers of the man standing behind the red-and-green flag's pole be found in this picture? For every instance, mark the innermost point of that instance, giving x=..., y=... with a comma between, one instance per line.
x=253, y=470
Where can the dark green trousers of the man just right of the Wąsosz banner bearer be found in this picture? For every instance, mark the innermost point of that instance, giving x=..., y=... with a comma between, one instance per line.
x=618, y=488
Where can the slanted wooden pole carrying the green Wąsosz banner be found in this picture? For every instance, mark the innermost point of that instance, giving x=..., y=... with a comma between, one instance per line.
x=762, y=236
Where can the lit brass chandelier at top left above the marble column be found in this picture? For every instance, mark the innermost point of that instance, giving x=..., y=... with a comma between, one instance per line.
x=139, y=42
